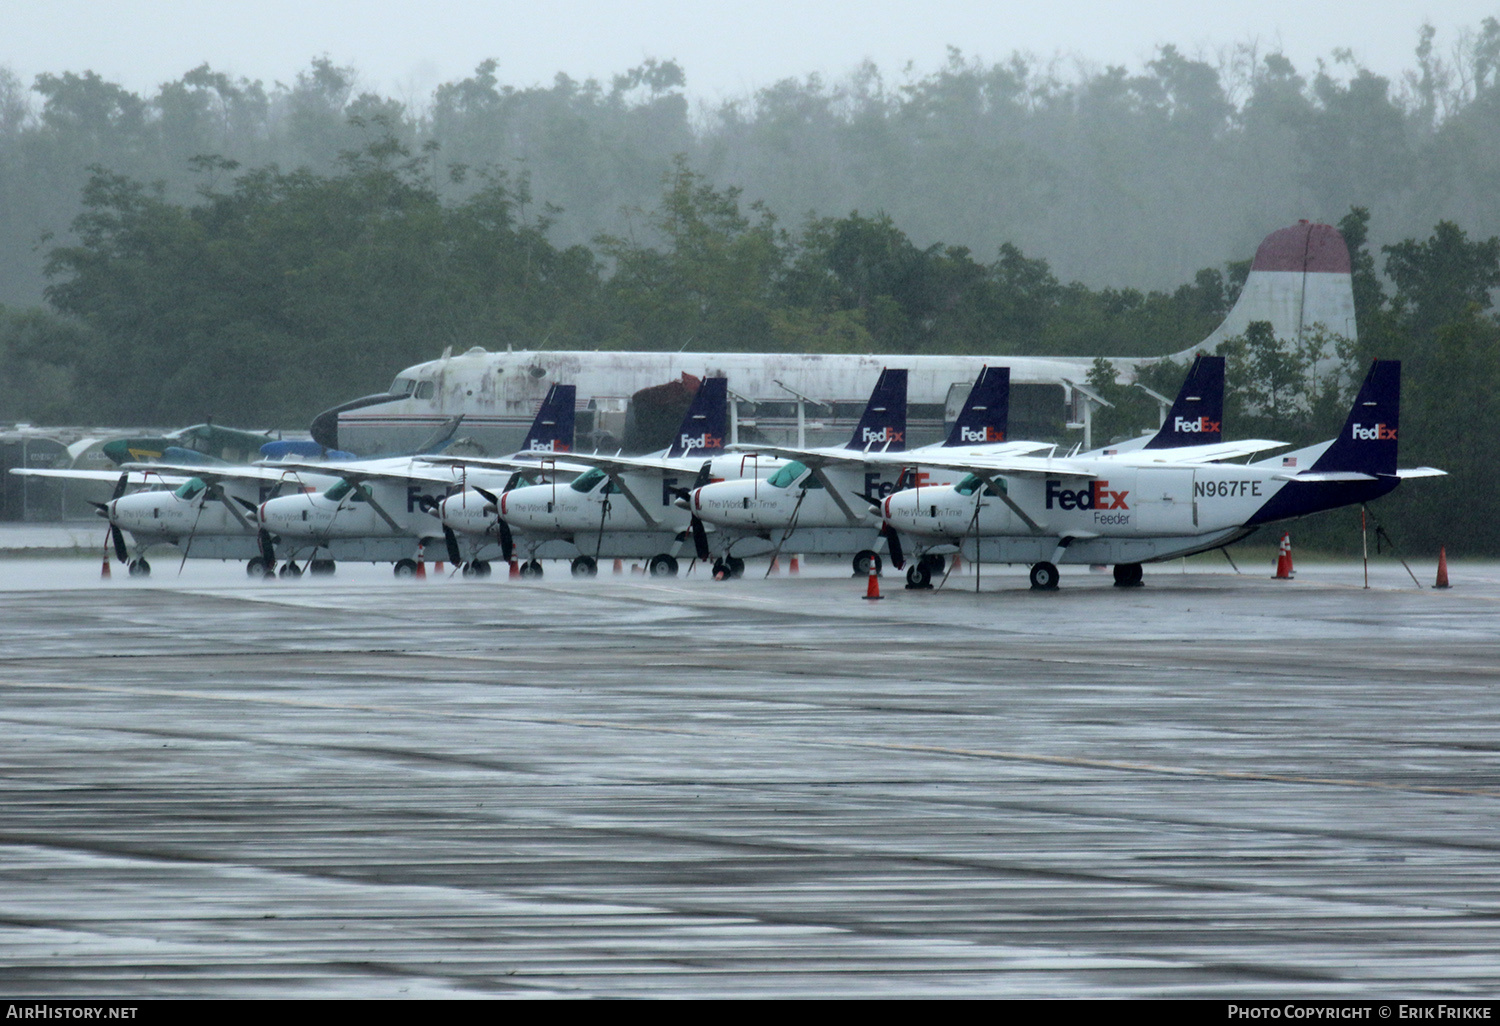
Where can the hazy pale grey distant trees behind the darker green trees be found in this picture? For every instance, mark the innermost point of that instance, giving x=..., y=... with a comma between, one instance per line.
x=1114, y=178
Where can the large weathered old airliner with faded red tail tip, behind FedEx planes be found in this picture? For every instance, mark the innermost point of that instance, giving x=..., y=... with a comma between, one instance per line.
x=1300, y=278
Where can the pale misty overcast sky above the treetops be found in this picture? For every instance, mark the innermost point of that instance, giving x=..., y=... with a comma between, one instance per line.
x=728, y=49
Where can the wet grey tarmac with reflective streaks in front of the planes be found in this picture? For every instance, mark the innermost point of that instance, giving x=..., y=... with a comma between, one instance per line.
x=1213, y=787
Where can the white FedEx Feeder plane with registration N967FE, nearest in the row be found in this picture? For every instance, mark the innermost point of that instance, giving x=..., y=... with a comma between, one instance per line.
x=1153, y=505
